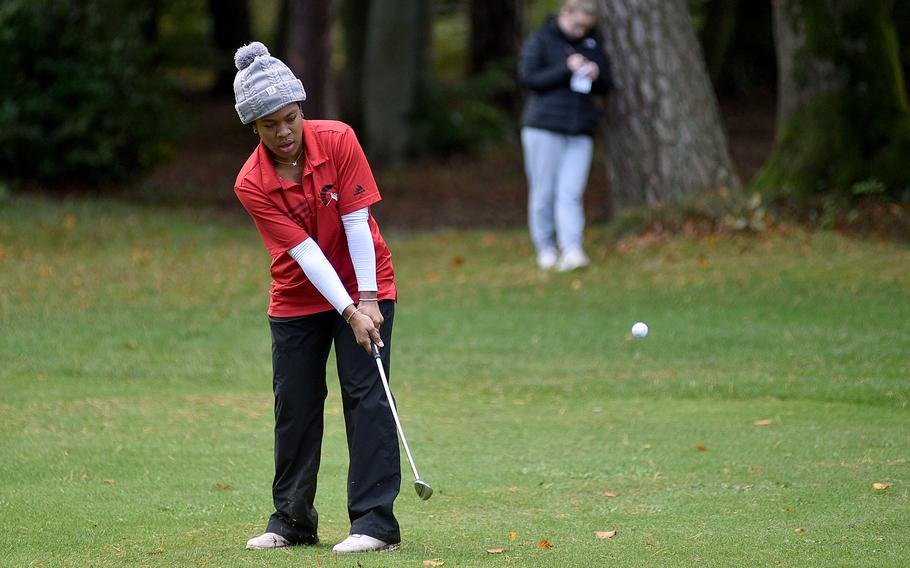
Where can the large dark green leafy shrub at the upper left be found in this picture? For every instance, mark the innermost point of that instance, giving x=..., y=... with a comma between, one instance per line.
x=80, y=102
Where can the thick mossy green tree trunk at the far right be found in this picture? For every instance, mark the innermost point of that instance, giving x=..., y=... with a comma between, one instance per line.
x=843, y=116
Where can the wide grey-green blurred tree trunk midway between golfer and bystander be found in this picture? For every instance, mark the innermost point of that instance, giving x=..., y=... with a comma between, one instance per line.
x=396, y=62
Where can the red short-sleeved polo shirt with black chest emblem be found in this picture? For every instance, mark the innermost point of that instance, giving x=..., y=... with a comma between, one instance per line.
x=336, y=180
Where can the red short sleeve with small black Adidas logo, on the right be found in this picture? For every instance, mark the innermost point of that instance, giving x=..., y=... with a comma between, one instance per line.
x=356, y=186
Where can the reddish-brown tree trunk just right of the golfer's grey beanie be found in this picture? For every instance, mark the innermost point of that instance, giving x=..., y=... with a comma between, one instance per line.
x=309, y=54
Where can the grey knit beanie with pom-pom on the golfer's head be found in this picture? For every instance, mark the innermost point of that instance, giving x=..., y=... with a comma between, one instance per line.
x=263, y=83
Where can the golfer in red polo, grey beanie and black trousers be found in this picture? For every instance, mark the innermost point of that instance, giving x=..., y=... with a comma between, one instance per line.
x=308, y=188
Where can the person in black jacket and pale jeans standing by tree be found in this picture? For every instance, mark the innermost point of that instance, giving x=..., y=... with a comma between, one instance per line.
x=565, y=70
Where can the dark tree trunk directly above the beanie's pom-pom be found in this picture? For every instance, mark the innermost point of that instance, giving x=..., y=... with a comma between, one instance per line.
x=231, y=29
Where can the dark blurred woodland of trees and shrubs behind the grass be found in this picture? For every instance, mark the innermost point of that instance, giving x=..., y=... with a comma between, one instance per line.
x=420, y=80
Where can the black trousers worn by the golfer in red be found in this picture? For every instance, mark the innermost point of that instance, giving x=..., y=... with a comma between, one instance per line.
x=300, y=350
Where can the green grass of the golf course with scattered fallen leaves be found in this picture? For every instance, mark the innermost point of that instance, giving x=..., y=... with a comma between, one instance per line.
x=135, y=378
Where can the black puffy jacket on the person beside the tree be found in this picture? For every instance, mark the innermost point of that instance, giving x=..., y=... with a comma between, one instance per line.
x=542, y=70
